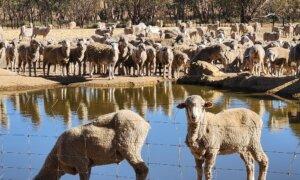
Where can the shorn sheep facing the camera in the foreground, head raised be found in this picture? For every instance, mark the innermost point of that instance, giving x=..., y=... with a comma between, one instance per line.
x=230, y=131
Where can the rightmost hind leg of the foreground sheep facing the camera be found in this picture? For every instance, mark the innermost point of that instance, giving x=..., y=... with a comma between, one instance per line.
x=262, y=159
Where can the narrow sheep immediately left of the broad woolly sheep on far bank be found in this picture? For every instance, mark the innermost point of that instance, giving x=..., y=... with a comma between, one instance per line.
x=77, y=56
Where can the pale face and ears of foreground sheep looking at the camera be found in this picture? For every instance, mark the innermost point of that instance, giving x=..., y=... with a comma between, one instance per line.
x=195, y=108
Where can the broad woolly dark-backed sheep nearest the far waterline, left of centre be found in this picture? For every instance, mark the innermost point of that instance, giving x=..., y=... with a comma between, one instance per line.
x=102, y=54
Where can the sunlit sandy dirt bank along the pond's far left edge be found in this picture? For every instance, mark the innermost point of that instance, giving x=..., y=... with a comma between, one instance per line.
x=12, y=82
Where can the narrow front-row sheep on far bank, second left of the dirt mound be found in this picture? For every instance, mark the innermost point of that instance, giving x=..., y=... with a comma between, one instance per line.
x=165, y=58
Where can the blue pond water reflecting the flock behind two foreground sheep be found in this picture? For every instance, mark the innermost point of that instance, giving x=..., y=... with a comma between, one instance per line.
x=31, y=122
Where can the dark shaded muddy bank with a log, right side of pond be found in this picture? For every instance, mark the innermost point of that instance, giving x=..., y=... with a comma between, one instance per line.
x=288, y=87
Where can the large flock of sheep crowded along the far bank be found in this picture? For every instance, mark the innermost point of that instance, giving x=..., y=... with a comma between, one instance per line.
x=153, y=50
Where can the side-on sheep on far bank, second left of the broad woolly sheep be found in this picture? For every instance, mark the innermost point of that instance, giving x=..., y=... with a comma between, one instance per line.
x=58, y=54
